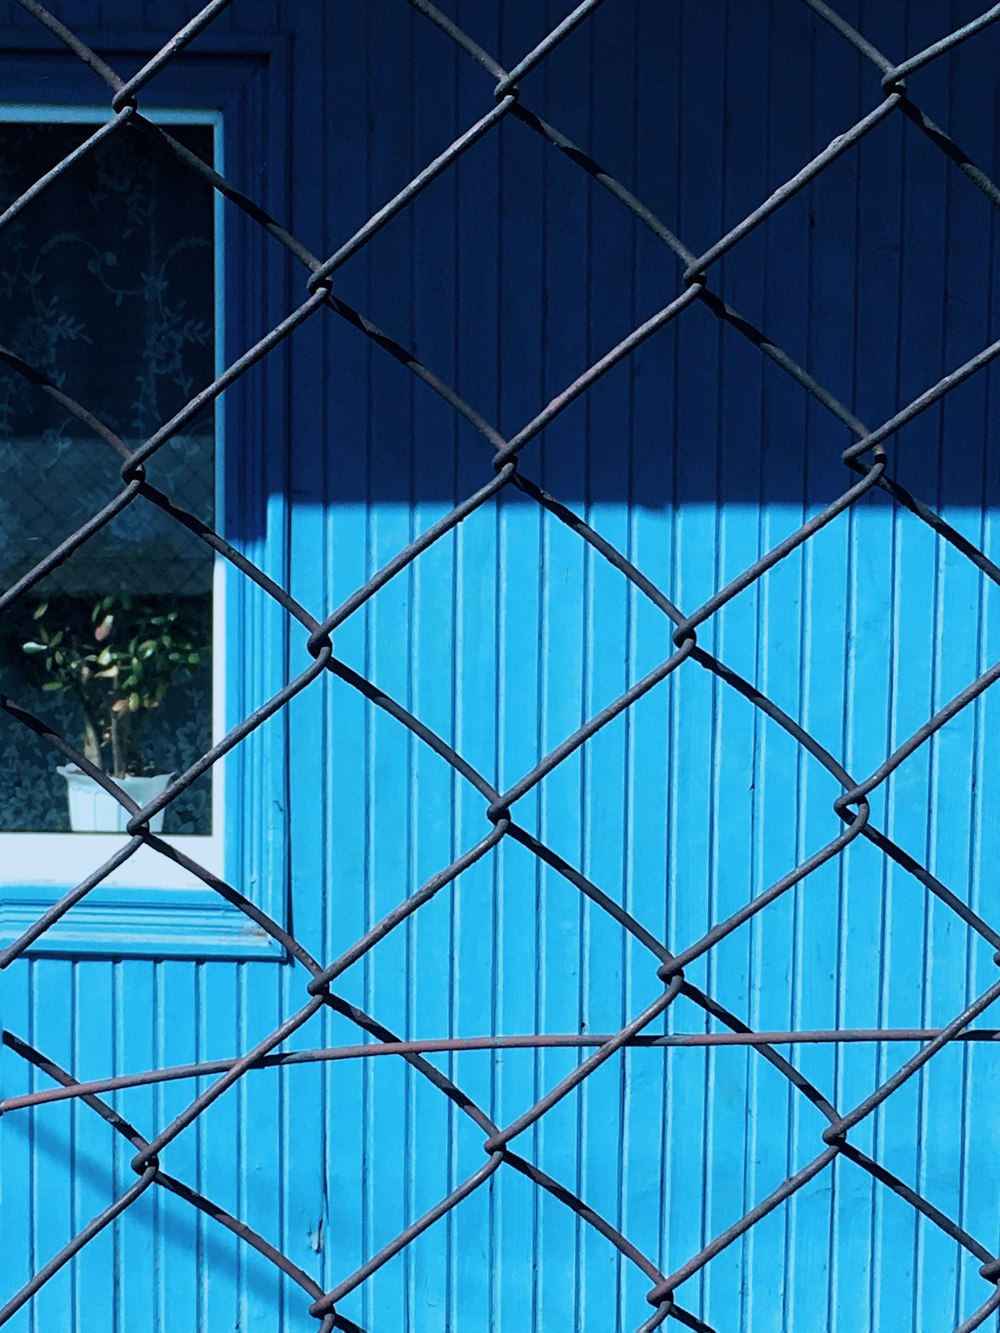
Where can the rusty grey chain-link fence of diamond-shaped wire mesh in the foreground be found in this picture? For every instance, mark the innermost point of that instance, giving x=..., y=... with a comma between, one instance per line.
x=869, y=463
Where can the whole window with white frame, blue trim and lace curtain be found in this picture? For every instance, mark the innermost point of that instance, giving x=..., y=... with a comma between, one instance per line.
x=114, y=287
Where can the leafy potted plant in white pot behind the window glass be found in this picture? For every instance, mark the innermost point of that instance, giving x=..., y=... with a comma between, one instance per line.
x=115, y=666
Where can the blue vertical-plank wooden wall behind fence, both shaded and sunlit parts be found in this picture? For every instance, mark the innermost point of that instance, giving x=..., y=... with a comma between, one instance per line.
x=509, y=278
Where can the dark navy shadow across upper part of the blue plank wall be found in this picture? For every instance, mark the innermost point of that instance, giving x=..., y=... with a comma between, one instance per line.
x=517, y=271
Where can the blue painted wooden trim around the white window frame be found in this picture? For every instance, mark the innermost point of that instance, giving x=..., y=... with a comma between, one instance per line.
x=245, y=81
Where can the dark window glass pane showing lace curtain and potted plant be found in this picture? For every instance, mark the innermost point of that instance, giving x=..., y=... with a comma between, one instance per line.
x=107, y=283
